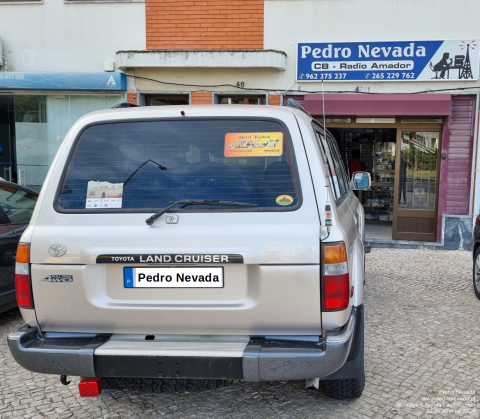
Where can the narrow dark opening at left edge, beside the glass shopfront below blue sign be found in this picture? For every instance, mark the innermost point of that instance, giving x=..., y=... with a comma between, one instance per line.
x=7, y=136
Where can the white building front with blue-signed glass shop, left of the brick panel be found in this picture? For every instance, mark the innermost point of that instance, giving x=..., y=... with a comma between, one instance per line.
x=52, y=71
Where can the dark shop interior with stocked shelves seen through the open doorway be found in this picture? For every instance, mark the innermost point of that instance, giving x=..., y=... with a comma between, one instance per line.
x=375, y=148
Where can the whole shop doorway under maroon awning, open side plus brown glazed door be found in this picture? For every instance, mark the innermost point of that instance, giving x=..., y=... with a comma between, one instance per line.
x=403, y=161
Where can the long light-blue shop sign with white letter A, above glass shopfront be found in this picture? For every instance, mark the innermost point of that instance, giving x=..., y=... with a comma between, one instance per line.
x=63, y=81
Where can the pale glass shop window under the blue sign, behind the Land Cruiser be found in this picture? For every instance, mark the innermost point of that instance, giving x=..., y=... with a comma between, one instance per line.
x=41, y=122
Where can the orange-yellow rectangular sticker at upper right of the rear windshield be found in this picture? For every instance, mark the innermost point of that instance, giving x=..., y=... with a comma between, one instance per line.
x=253, y=144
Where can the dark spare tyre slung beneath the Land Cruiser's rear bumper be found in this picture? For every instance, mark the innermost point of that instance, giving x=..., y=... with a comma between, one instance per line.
x=169, y=385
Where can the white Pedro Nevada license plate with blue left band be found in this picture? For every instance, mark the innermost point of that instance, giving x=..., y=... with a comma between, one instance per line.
x=173, y=277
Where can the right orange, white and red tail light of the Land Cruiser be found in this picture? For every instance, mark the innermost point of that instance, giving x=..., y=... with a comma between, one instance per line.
x=336, y=280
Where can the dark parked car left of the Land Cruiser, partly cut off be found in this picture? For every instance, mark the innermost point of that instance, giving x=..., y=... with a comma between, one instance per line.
x=16, y=207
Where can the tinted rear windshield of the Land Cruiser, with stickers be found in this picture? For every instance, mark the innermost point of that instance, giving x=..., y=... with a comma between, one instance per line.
x=146, y=165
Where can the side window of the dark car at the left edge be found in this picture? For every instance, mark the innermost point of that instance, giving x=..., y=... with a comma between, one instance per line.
x=17, y=204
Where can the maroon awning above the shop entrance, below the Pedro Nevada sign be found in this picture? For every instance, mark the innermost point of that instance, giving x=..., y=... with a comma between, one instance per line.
x=379, y=104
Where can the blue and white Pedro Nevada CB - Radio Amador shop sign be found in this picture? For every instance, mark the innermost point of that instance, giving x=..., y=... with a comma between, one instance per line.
x=388, y=61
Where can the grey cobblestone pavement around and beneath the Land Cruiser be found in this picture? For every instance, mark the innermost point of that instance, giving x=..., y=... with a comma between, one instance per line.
x=422, y=352
